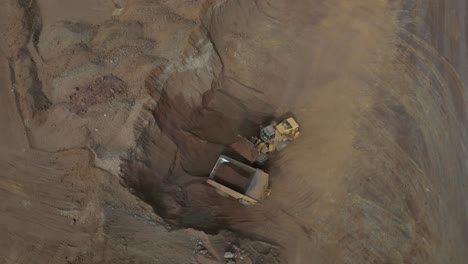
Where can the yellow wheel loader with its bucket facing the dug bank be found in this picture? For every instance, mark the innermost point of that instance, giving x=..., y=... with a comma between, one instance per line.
x=273, y=137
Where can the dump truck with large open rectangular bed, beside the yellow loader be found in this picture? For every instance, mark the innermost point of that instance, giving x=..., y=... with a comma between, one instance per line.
x=244, y=183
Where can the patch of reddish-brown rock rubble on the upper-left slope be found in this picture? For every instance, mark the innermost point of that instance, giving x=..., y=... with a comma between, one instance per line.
x=101, y=90
